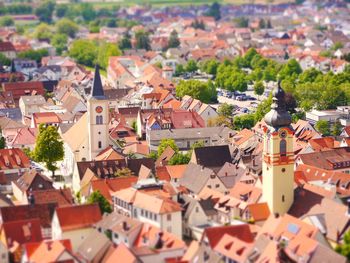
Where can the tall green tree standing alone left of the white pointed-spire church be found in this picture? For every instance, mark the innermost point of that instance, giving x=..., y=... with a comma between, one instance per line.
x=48, y=147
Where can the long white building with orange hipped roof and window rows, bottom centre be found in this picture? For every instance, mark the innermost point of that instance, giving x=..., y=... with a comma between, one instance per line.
x=160, y=210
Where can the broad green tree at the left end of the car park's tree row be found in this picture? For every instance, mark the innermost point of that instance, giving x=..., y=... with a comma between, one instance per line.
x=200, y=90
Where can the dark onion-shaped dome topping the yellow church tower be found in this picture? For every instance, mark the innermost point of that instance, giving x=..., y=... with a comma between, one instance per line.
x=278, y=116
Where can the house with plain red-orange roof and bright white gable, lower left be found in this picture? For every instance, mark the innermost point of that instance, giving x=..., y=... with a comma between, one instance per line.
x=75, y=223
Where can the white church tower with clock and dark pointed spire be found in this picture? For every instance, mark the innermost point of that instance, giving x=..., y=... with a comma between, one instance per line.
x=97, y=117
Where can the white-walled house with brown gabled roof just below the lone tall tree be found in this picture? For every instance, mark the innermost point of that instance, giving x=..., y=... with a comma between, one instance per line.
x=28, y=182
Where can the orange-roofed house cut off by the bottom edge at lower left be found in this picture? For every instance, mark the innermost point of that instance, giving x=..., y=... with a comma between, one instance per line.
x=49, y=251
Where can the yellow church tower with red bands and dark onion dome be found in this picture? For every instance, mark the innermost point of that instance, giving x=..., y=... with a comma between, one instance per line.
x=278, y=156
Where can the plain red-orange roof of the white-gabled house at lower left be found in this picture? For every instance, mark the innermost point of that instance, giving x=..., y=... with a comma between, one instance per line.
x=80, y=216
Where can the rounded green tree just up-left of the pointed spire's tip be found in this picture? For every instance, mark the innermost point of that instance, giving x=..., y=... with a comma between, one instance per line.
x=84, y=52
